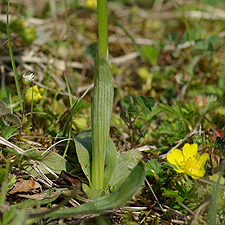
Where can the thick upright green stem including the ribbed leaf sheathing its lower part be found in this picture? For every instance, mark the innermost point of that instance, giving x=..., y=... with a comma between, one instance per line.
x=102, y=101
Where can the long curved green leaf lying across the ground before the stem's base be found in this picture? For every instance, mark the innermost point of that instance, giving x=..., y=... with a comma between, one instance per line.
x=107, y=202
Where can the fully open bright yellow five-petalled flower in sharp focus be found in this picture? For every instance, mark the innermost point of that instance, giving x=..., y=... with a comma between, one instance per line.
x=189, y=161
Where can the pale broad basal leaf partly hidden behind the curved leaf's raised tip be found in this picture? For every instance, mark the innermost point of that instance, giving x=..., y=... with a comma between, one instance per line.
x=126, y=162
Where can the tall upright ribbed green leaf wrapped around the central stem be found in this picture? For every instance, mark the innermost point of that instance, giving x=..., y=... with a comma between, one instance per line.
x=101, y=111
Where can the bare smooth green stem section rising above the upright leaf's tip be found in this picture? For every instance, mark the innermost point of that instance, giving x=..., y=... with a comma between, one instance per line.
x=102, y=27
